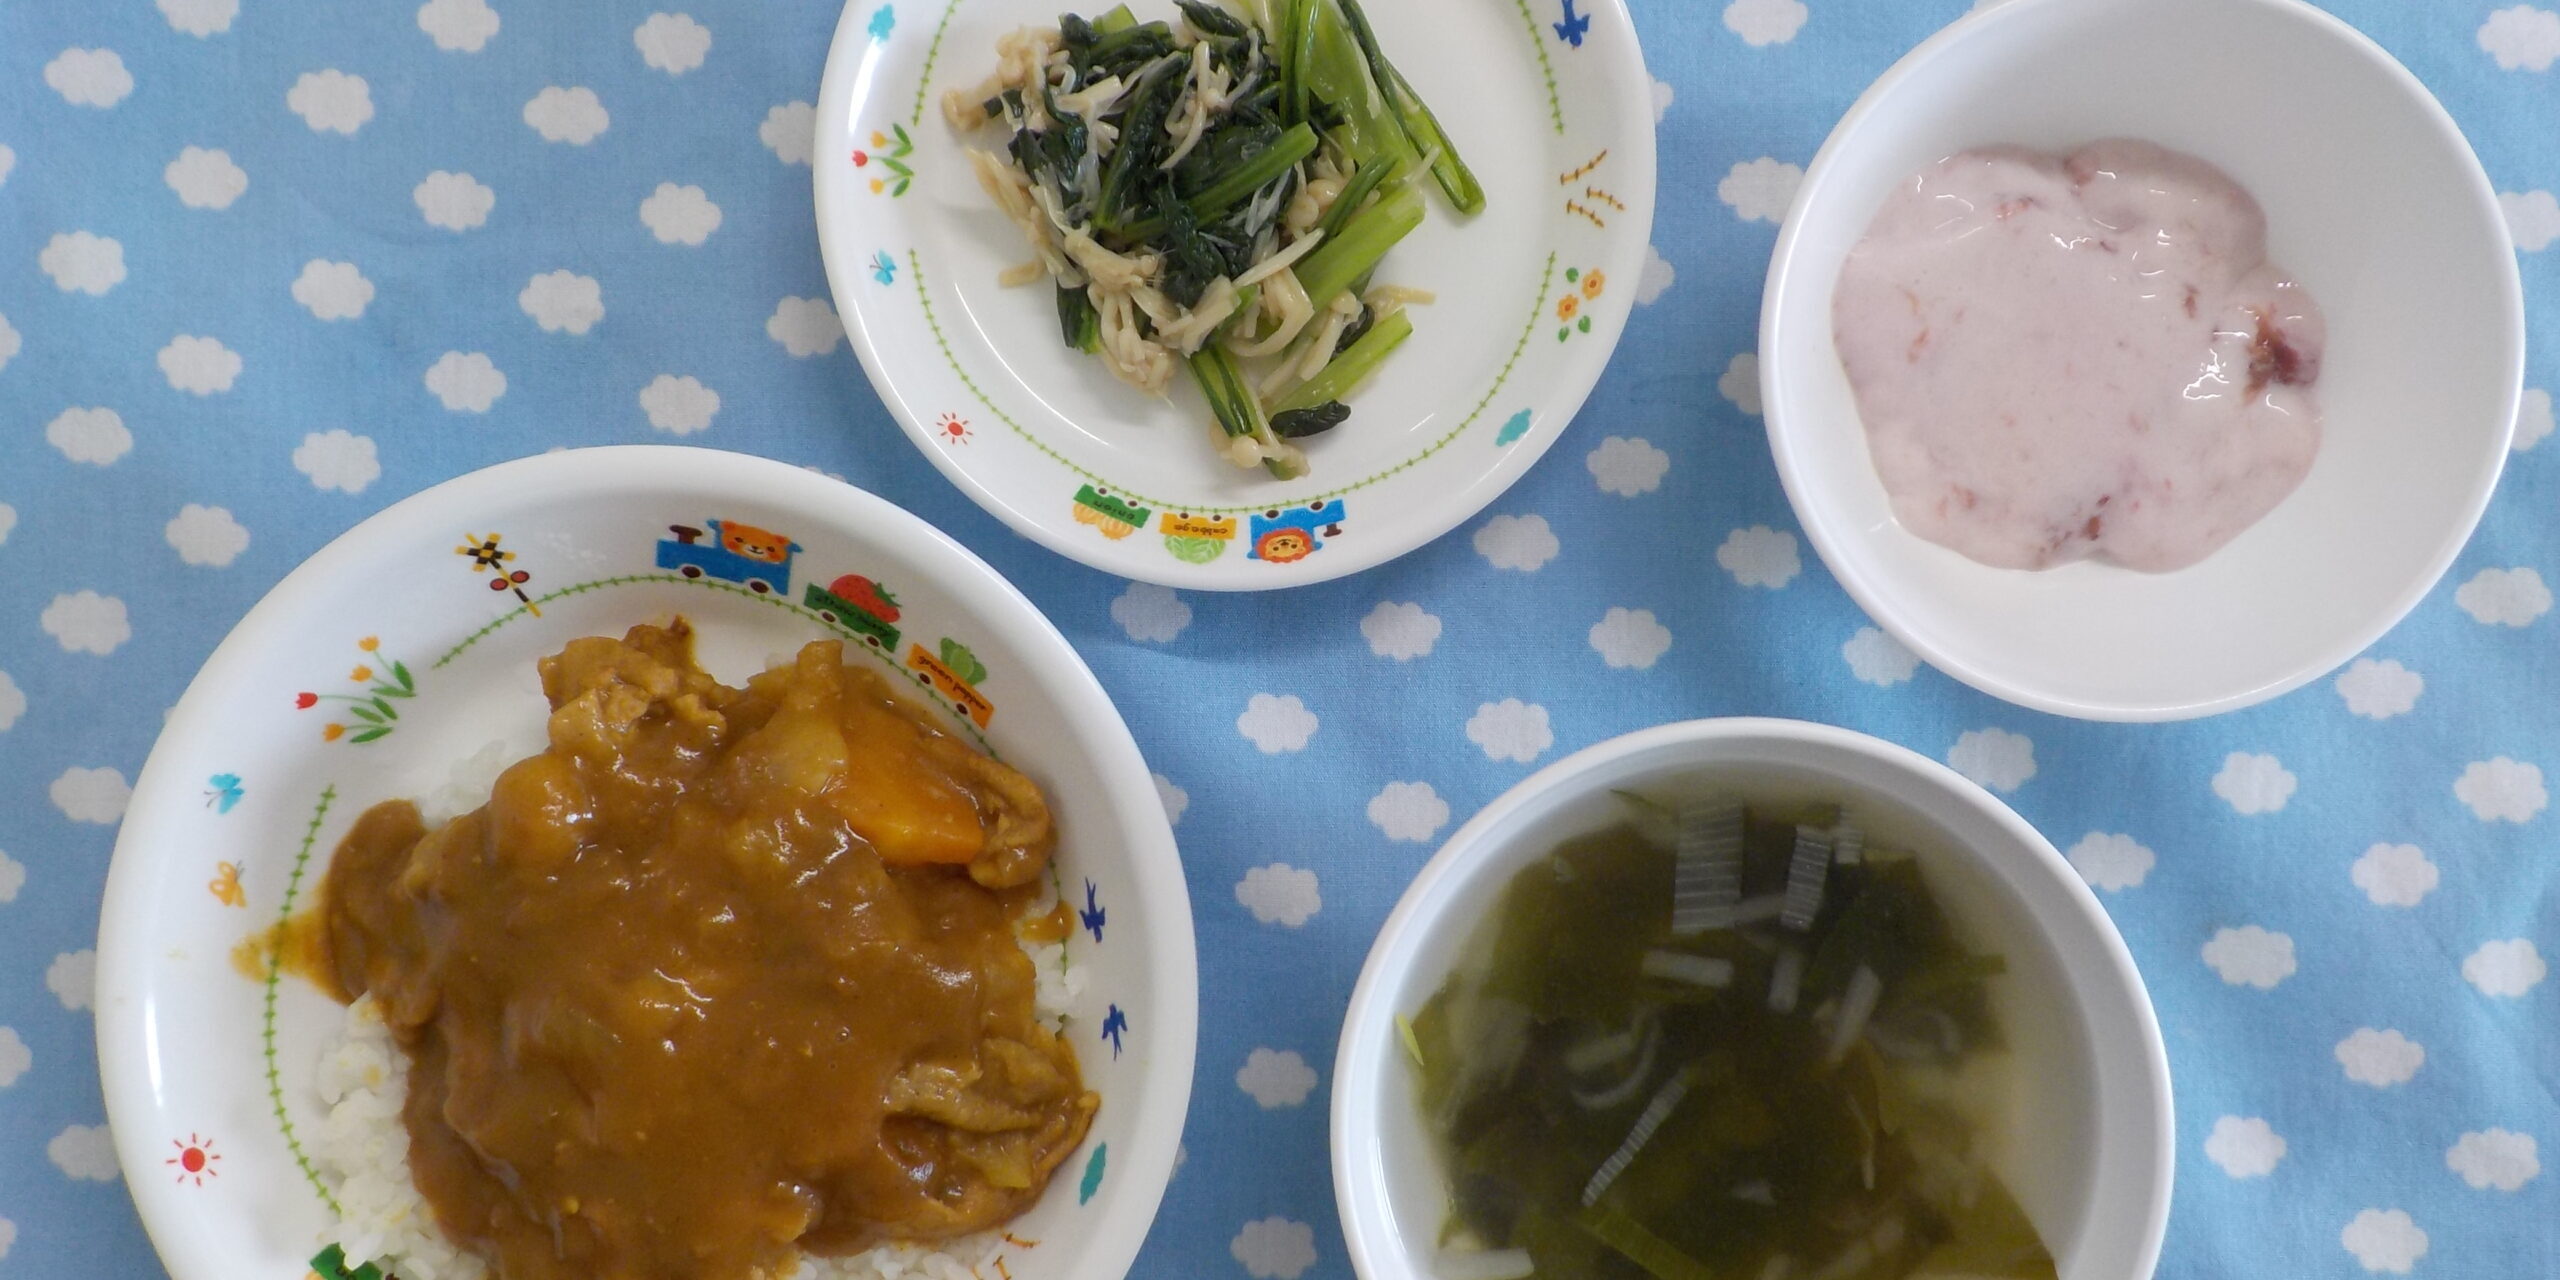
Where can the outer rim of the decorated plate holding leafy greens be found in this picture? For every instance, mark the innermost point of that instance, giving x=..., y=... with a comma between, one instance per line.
x=1612, y=32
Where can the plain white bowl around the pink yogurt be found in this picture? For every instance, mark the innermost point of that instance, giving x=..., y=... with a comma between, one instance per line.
x=2374, y=201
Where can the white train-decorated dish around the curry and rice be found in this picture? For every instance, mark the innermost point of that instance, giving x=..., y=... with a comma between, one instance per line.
x=247, y=795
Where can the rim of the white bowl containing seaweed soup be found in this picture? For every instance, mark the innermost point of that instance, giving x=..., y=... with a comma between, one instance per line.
x=1366, y=1038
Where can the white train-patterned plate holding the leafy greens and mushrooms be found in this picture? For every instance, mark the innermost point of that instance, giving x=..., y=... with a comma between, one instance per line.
x=1555, y=116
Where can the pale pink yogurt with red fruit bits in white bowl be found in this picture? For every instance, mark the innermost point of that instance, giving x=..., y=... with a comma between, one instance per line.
x=2080, y=357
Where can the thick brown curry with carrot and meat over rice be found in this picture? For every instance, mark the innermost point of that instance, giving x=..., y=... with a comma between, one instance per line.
x=721, y=977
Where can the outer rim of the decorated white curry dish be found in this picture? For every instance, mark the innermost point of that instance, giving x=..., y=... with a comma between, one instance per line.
x=124, y=954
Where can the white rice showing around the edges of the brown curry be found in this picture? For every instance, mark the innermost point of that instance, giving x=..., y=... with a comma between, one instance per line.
x=365, y=1148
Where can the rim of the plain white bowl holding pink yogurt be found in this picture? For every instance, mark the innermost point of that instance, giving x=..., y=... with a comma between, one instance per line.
x=1878, y=603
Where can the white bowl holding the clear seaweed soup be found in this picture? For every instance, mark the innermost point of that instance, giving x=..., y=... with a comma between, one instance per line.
x=2093, y=1130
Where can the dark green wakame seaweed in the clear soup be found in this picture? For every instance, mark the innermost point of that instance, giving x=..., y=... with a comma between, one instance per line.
x=1627, y=1100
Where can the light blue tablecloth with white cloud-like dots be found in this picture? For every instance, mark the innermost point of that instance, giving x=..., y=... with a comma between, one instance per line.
x=270, y=265
